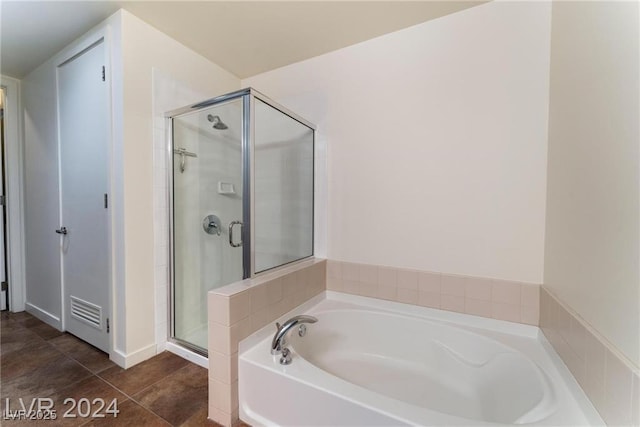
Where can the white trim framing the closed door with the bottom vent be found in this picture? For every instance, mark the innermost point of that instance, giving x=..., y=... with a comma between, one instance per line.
x=101, y=35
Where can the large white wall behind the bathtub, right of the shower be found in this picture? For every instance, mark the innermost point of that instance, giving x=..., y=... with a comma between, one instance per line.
x=436, y=140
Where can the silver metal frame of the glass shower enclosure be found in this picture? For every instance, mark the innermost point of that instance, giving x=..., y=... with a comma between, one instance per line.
x=248, y=96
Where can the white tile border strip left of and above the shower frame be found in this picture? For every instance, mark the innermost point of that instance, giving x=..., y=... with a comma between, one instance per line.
x=168, y=94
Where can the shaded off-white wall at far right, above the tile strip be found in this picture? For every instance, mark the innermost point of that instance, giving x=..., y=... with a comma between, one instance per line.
x=592, y=253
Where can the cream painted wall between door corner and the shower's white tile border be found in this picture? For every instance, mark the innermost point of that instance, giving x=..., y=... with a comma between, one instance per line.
x=143, y=49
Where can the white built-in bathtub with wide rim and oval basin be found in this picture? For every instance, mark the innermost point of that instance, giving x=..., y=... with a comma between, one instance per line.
x=369, y=362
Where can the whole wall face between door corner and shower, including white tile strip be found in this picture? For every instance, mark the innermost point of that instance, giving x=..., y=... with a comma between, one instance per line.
x=146, y=54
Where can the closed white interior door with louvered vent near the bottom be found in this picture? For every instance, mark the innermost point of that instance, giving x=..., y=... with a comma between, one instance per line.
x=84, y=183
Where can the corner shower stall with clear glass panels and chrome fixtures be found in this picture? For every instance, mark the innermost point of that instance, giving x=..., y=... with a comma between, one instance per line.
x=241, y=200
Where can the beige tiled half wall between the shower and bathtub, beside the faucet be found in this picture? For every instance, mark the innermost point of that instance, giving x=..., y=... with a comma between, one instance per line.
x=238, y=310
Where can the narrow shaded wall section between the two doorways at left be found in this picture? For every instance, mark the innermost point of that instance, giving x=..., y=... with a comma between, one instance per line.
x=42, y=253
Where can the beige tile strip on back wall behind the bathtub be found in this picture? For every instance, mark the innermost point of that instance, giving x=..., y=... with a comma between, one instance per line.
x=497, y=299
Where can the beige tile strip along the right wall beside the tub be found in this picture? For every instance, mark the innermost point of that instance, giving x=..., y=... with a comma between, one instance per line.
x=610, y=381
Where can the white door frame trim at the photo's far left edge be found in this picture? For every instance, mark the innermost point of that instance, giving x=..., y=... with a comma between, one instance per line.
x=14, y=155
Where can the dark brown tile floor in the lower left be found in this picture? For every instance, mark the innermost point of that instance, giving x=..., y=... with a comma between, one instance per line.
x=37, y=361
